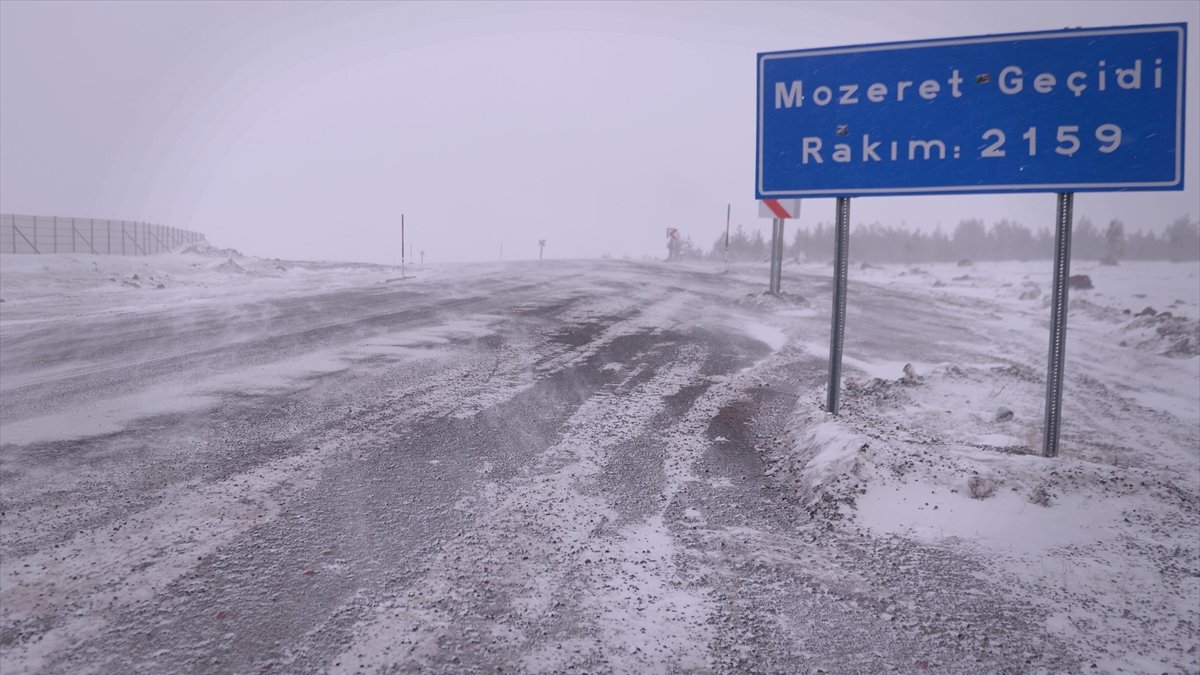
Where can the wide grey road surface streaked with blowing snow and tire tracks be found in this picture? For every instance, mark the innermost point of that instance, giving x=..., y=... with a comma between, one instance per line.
x=519, y=469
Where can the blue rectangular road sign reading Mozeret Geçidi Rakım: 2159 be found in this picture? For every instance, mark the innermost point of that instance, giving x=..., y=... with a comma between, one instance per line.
x=1067, y=111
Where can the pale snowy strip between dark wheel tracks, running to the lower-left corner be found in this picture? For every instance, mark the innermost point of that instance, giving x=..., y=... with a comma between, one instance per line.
x=83, y=583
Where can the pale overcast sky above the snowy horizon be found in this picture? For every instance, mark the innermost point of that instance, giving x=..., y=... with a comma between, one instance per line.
x=304, y=130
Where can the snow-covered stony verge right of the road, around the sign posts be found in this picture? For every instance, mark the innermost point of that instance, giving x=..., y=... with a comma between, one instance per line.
x=1105, y=539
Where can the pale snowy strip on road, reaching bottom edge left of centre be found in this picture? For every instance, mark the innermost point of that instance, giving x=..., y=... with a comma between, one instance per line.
x=525, y=553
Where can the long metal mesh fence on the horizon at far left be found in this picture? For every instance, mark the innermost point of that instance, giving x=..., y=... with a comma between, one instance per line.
x=101, y=237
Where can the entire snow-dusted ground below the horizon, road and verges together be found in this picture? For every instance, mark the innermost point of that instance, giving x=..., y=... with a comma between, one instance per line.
x=584, y=467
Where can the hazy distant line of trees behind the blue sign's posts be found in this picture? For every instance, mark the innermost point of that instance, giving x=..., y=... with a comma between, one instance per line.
x=1005, y=241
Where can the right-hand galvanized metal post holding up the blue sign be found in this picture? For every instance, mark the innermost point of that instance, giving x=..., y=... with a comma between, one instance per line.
x=1058, y=325
